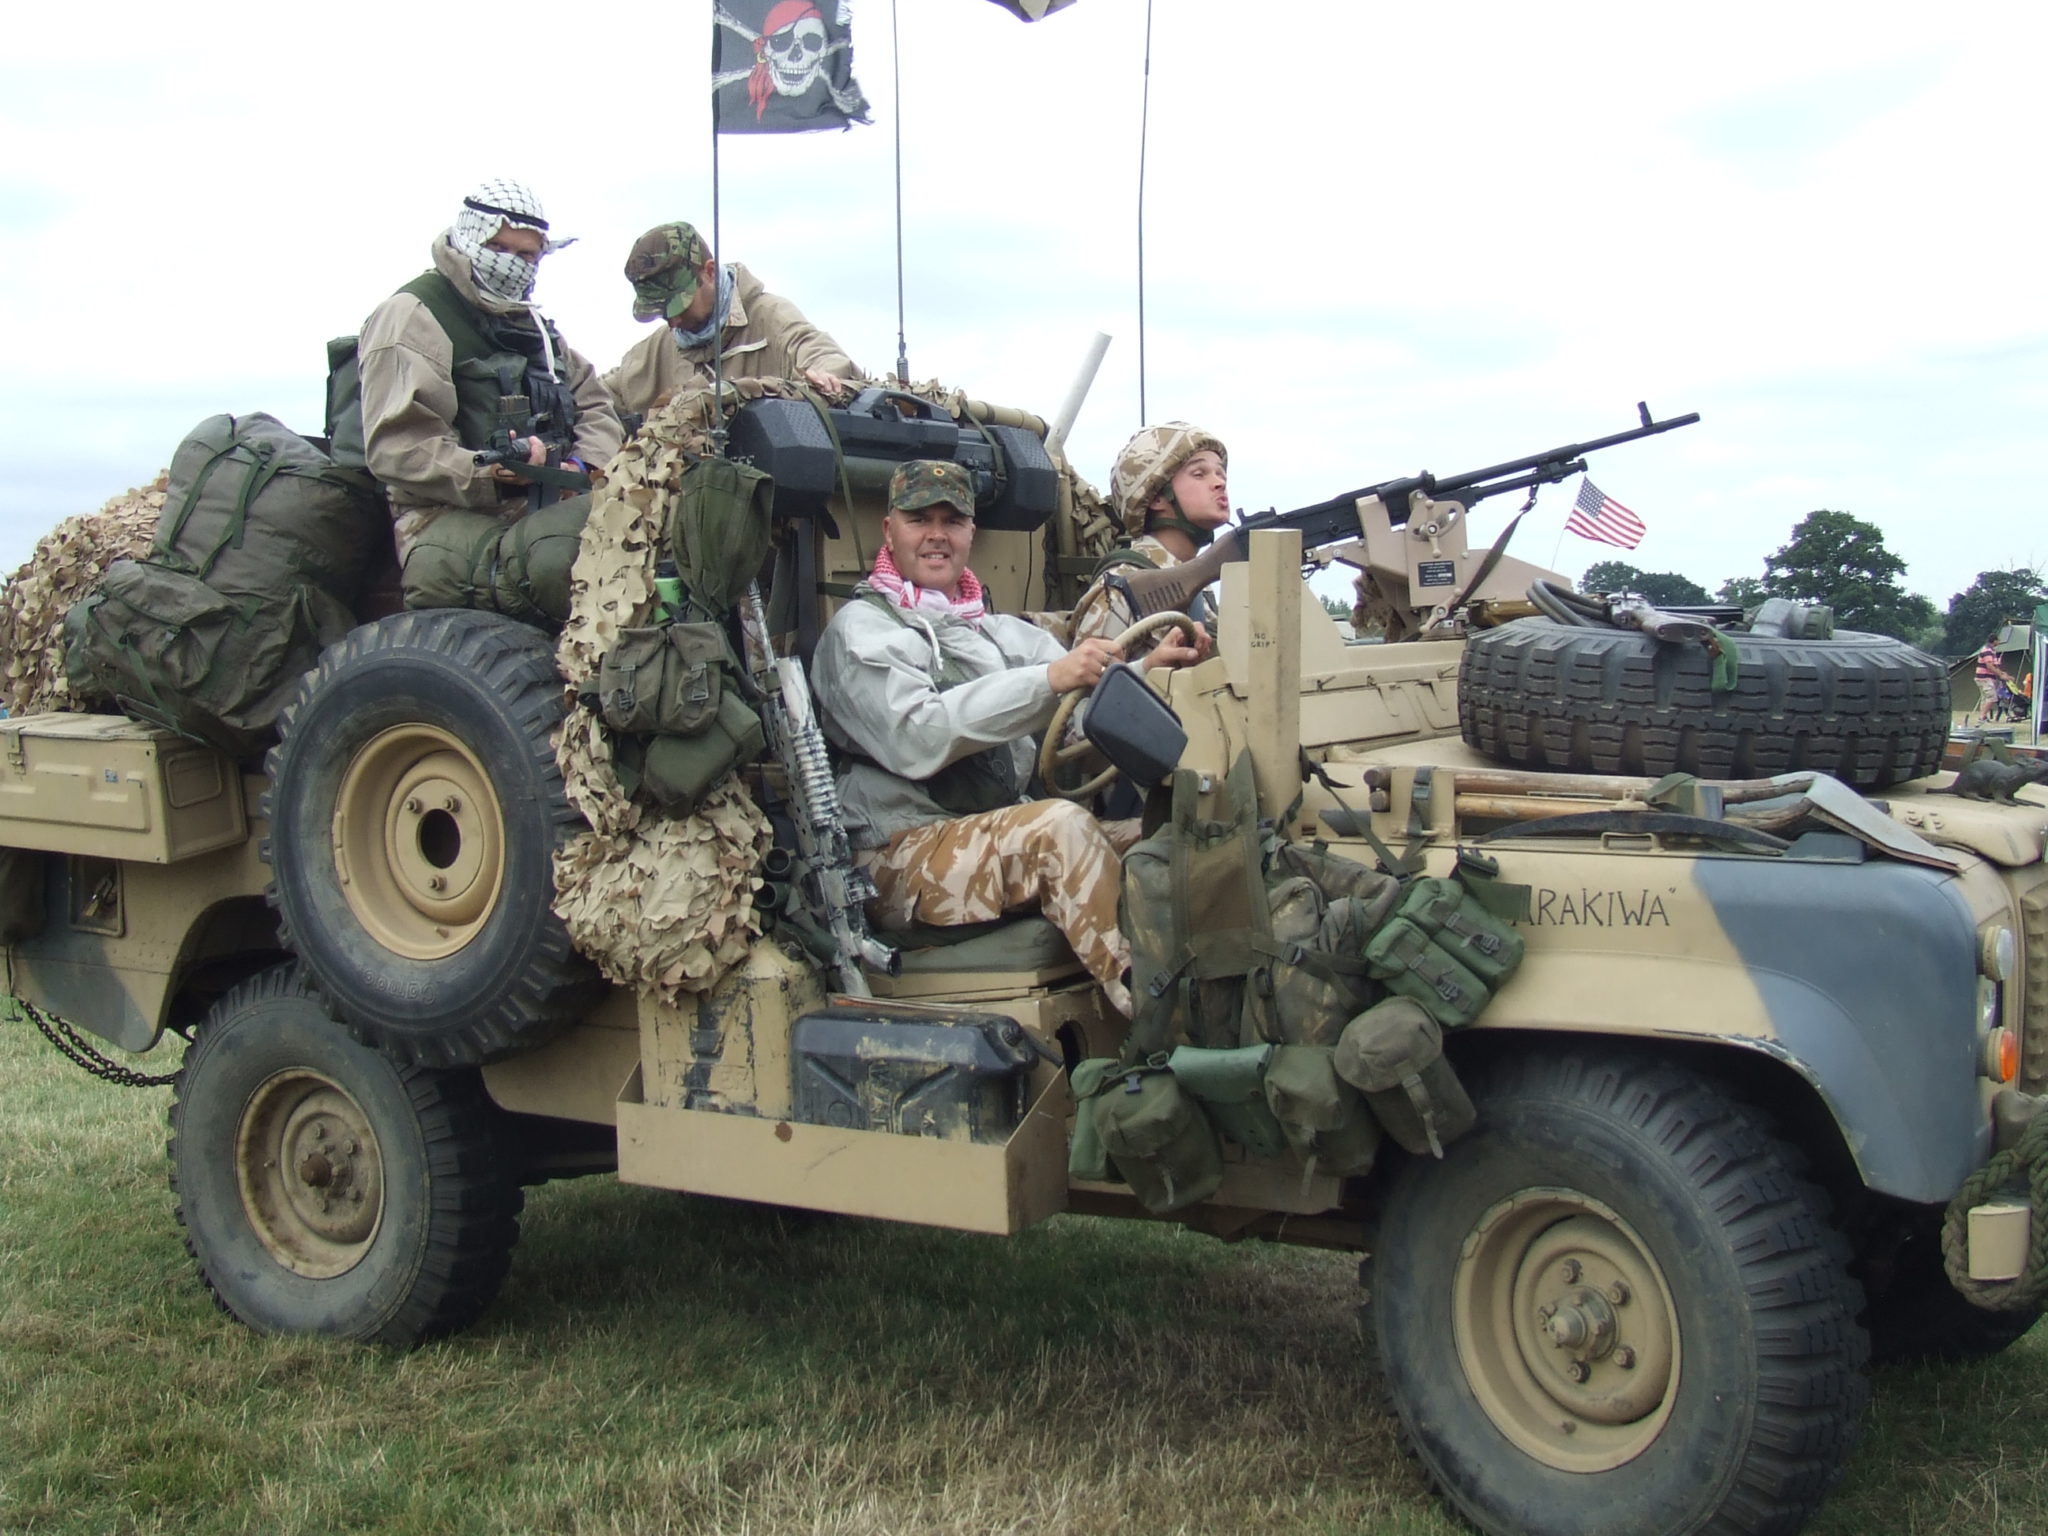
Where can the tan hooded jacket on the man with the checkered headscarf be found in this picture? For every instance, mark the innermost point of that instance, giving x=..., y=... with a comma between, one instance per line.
x=409, y=404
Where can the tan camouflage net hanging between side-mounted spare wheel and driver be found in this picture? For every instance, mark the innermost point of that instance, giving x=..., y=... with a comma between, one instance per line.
x=663, y=904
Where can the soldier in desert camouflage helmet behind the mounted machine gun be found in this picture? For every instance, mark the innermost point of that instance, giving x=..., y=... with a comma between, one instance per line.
x=1170, y=490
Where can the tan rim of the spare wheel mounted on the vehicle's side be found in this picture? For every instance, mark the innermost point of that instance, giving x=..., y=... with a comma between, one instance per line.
x=419, y=843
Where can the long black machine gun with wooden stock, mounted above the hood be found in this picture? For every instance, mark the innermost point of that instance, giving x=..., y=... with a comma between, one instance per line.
x=1340, y=519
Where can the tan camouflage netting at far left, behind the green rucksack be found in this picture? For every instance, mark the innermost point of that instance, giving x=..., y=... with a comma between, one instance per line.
x=65, y=568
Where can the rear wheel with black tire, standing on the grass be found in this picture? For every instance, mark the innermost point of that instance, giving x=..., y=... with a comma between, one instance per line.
x=323, y=1187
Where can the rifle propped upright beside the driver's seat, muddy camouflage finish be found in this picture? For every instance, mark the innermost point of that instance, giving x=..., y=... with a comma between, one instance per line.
x=833, y=890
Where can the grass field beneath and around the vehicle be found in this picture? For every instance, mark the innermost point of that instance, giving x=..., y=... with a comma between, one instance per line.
x=671, y=1365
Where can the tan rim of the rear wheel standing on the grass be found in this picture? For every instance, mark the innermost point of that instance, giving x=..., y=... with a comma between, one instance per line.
x=310, y=1175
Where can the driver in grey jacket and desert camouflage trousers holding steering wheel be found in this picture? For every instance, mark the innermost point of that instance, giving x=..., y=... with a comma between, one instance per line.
x=933, y=703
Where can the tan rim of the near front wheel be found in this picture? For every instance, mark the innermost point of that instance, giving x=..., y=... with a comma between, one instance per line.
x=1566, y=1330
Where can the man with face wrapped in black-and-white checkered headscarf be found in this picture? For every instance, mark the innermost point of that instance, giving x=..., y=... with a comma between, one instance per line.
x=425, y=417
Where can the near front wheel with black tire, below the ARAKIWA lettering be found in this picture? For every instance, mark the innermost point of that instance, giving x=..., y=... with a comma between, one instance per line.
x=1723, y=1383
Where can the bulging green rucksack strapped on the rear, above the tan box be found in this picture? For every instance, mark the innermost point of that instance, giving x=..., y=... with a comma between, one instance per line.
x=259, y=558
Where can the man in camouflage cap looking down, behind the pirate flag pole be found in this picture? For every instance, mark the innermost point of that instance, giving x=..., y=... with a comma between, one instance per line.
x=714, y=312
